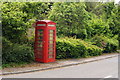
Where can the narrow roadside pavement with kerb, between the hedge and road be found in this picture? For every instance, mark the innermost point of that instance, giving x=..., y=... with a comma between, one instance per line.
x=37, y=66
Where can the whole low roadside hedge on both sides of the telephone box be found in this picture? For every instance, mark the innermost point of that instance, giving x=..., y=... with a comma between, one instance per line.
x=66, y=48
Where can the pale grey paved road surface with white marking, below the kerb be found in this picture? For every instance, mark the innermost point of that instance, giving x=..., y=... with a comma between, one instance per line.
x=107, y=68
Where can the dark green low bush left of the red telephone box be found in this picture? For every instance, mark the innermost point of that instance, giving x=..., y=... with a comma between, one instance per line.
x=16, y=52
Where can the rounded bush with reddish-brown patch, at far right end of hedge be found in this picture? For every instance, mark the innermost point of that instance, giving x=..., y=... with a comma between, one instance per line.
x=108, y=44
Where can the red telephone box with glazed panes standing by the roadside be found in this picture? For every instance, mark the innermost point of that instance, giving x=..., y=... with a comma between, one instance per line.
x=45, y=41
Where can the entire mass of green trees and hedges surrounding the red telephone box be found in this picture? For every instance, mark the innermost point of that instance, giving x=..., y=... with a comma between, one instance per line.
x=86, y=21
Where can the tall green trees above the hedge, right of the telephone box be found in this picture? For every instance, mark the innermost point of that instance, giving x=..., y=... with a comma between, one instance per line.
x=76, y=19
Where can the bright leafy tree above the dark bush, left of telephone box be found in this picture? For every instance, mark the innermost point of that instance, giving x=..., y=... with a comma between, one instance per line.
x=17, y=17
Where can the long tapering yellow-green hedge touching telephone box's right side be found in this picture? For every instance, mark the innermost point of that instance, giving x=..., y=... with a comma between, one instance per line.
x=75, y=48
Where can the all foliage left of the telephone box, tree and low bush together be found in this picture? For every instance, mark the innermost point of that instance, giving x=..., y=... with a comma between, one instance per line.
x=17, y=18
